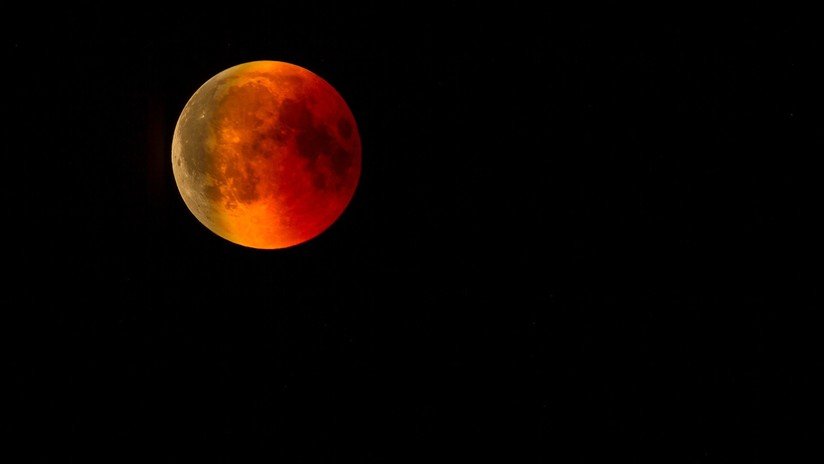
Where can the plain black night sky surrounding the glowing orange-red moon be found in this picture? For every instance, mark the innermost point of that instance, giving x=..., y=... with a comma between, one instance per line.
x=577, y=238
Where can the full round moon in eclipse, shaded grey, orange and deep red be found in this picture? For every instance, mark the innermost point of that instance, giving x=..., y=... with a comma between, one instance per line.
x=266, y=154
